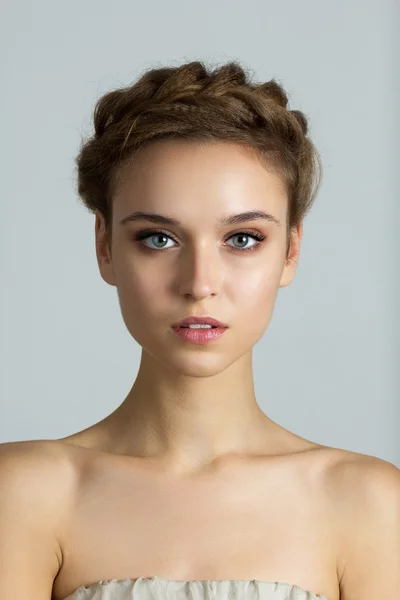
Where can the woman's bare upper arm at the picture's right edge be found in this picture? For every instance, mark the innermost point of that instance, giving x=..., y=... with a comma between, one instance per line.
x=370, y=557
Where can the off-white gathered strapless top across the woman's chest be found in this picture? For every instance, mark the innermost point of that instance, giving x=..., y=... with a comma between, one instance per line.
x=158, y=588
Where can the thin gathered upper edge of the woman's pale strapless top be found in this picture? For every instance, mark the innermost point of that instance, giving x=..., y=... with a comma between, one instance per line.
x=176, y=582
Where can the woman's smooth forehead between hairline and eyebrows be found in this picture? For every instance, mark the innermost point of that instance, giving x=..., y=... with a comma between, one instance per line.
x=191, y=180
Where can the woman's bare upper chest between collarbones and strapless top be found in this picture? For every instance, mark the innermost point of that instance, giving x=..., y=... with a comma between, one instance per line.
x=262, y=525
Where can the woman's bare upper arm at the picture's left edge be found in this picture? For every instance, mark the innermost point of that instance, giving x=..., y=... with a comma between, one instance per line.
x=30, y=555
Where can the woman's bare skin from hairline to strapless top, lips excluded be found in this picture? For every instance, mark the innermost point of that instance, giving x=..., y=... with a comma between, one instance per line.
x=188, y=478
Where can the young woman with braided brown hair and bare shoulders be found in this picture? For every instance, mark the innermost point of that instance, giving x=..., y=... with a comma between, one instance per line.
x=199, y=181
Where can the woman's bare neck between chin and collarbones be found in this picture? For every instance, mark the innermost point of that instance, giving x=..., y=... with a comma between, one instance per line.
x=189, y=422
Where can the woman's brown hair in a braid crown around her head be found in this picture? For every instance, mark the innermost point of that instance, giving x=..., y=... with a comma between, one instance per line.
x=192, y=103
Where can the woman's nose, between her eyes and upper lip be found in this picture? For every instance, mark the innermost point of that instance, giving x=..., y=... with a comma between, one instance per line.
x=200, y=272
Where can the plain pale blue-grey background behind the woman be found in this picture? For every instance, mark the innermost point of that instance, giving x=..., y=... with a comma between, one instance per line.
x=327, y=367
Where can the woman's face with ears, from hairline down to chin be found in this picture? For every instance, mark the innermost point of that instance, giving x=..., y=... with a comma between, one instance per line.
x=199, y=266
